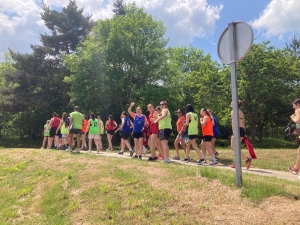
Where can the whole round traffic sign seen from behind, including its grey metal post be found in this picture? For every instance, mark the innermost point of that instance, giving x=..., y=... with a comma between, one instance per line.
x=234, y=44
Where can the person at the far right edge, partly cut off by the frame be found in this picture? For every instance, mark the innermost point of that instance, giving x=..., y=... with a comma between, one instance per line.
x=296, y=118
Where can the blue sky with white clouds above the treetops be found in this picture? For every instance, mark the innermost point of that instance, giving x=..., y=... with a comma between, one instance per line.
x=198, y=23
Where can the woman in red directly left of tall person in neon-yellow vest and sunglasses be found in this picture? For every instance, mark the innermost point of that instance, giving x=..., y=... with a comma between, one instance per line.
x=153, y=131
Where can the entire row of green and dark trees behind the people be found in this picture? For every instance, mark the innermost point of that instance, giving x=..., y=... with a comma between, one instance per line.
x=103, y=65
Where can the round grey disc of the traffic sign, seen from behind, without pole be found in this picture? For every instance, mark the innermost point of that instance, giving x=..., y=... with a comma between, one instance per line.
x=243, y=39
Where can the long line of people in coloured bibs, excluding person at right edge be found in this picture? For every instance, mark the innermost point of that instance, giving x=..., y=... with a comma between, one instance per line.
x=157, y=126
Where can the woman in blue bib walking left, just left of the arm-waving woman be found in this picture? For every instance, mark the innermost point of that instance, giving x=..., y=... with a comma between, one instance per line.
x=125, y=127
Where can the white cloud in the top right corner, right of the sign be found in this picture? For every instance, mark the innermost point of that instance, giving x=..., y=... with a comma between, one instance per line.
x=279, y=17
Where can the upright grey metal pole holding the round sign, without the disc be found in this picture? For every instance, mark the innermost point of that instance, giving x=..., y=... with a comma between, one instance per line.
x=236, y=127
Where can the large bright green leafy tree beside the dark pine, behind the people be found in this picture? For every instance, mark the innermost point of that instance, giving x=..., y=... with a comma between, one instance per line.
x=121, y=57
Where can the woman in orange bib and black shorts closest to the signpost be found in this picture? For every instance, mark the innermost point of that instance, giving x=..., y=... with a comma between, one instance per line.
x=207, y=131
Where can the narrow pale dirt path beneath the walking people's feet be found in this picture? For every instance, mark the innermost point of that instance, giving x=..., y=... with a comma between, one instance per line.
x=252, y=170
